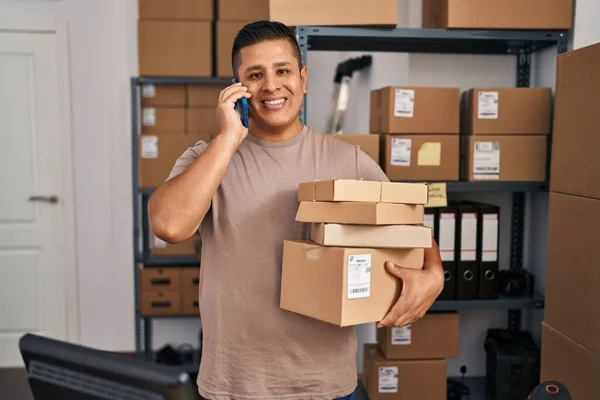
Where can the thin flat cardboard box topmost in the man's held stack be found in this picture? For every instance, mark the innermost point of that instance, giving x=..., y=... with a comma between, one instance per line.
x=339, y=190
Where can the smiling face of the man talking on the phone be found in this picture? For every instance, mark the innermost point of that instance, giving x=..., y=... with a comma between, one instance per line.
x=270, y=71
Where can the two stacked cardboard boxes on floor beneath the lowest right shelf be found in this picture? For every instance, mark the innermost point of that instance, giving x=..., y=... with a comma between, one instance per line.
x=410, y=362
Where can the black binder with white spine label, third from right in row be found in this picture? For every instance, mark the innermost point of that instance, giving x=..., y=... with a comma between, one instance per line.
x=446, y=231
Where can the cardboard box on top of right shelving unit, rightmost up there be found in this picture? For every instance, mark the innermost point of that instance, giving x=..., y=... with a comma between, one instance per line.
x=505, y=14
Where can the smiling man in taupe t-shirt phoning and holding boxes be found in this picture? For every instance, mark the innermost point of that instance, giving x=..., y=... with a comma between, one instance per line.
x=241, y=192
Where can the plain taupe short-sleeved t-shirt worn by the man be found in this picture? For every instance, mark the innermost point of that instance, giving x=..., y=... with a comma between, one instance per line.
x=252, y=348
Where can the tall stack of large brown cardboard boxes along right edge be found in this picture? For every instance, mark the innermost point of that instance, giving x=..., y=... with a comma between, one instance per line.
x=571, y=327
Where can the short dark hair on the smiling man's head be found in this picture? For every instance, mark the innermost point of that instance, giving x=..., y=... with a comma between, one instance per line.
x=259, y=31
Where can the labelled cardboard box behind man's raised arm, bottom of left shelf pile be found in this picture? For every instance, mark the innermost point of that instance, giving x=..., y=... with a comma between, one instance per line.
x=158, y=153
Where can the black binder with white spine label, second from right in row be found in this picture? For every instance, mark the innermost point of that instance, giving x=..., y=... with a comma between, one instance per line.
x=466, y=252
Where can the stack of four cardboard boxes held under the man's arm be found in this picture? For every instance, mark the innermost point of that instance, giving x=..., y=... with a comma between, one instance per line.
x=339, y=274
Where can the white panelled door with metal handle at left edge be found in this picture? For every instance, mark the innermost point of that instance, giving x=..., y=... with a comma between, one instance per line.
x=32, y=250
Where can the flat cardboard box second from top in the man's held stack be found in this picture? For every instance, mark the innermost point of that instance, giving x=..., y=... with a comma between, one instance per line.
x=360, y=213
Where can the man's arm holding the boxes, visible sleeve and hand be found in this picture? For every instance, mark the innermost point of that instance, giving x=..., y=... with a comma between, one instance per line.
x=420, y=288
